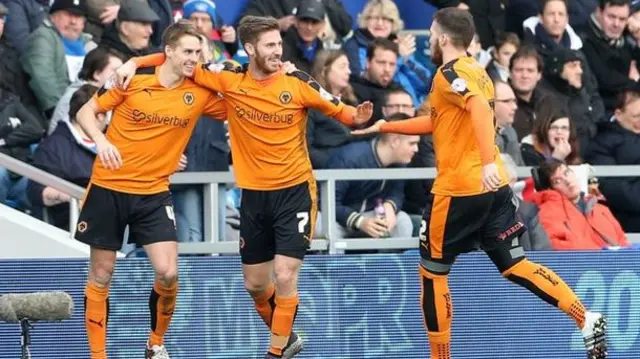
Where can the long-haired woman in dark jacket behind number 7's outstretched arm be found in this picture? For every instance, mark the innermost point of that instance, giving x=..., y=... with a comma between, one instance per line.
x=324, y=134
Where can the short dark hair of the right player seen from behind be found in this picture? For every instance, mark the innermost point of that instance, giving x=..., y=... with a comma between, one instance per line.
x=457, y=24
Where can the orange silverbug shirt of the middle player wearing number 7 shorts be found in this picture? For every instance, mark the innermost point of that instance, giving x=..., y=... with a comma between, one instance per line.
x=267, y=123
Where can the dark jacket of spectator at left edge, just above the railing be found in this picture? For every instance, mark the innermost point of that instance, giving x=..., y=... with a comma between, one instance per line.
x=18, y=140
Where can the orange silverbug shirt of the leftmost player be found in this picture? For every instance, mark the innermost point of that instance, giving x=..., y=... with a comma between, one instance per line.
x=151, y=126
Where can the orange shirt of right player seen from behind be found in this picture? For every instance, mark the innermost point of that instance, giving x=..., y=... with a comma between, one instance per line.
x=457, y=151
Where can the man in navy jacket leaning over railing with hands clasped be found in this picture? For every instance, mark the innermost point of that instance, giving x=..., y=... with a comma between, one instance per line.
x=356, y=200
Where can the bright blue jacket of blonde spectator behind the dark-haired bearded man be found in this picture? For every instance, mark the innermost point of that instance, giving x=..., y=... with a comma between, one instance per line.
x=410, y=74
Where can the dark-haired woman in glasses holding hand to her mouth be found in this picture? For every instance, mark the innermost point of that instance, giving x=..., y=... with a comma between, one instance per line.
x=553, y=138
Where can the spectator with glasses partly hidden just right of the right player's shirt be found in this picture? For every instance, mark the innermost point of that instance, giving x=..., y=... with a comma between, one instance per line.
x=505, y=108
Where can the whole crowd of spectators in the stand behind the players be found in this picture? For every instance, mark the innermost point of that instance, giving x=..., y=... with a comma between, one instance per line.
x=566, y=75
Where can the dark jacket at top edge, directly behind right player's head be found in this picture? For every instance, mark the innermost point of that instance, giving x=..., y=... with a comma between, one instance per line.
x=488, y=16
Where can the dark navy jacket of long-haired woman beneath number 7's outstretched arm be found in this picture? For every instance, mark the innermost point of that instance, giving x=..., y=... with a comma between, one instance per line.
x=325, y=135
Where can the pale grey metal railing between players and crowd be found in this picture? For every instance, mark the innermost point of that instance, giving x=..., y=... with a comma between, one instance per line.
x=327, y=181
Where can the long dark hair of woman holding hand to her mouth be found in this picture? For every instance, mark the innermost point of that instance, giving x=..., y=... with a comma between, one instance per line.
x=546, y=116
